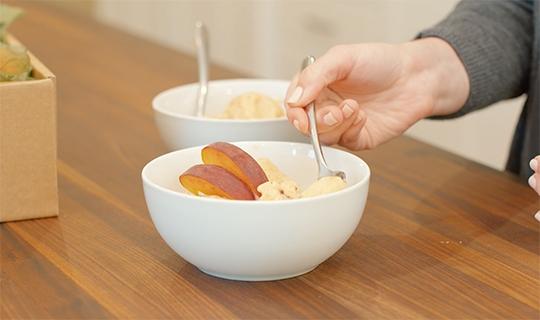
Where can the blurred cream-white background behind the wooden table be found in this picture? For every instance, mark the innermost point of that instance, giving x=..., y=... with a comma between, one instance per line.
x=269, y=38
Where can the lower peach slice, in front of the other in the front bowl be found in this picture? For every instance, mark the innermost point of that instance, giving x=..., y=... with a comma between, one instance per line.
x=214, y=180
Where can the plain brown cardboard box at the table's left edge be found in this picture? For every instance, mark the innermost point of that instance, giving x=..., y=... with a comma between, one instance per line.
x=28, y=178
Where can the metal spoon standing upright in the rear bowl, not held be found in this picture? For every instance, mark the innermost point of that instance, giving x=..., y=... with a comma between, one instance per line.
x=201, y=42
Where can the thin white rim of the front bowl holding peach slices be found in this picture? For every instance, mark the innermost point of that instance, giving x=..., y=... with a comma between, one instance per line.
x=349, y=188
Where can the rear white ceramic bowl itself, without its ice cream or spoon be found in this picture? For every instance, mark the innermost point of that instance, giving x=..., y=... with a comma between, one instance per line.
x=174, y=111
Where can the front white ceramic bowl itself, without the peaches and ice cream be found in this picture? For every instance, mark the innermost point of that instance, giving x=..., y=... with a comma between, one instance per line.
x=256, y=240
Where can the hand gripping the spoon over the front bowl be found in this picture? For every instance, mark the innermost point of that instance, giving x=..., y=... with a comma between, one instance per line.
x=367, y=94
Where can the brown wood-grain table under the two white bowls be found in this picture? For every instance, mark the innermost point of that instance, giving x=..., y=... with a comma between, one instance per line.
x=442, y=237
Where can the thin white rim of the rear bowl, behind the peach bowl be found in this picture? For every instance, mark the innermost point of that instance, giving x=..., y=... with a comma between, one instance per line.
x=157, y=108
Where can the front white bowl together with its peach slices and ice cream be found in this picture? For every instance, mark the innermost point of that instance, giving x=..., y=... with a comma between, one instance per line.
x=254, y=210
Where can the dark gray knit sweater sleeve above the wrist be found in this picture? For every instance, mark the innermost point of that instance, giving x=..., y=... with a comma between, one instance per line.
x=493, y=39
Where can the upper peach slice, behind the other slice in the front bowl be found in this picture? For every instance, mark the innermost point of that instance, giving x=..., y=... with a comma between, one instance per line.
x=237, y=161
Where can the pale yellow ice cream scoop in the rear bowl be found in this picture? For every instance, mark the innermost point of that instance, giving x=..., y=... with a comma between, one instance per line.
x=252, y=105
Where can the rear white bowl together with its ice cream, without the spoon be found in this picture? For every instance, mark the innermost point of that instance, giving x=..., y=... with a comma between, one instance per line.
x=236, y=110
